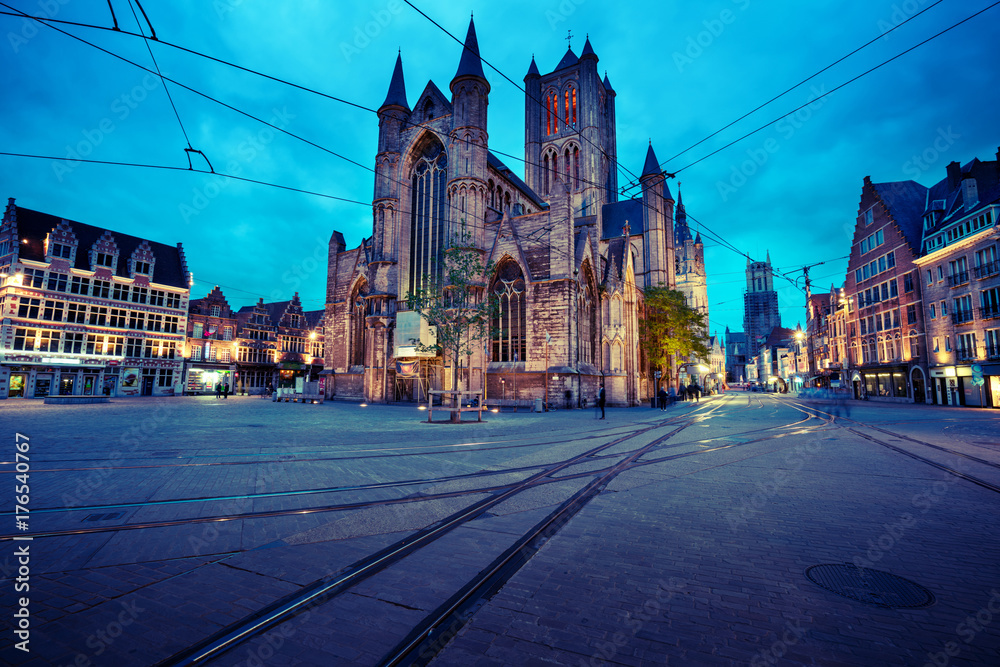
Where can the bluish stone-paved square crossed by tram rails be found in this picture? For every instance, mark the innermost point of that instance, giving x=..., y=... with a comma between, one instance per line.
x=689, y=561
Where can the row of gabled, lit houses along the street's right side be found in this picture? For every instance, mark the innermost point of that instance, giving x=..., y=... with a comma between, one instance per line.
x=917, y=318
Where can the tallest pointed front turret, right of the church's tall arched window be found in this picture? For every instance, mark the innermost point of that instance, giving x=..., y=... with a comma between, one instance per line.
x=468, y=147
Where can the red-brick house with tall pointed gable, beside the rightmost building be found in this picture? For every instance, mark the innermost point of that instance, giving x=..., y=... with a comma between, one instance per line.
x=883, y=295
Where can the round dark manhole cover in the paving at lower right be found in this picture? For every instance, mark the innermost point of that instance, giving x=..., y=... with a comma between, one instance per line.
x=870, y=586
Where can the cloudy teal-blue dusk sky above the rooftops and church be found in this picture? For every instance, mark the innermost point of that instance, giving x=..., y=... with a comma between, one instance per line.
x=681, y=72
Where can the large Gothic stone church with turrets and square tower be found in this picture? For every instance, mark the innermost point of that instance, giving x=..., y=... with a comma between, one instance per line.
x=570, y=259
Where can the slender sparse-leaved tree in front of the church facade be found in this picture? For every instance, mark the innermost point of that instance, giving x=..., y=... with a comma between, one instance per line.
x=454, y=301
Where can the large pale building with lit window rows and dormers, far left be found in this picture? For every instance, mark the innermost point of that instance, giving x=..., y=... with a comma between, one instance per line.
x=88, y=311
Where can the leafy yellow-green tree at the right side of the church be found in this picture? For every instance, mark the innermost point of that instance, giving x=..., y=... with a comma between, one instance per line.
x=670, y=328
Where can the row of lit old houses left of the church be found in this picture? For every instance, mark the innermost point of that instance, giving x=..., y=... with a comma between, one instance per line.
x=87, y=311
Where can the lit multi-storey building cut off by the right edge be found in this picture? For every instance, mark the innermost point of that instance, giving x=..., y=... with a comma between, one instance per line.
x=959, y=274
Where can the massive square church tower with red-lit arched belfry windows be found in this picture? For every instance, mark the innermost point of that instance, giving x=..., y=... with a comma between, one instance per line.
x=570, y=132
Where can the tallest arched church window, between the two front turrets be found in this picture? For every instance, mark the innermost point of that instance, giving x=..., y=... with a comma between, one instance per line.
x=428, y=214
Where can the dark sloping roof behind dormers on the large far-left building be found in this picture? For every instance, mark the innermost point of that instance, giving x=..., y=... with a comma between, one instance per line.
x=34, y=226
